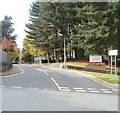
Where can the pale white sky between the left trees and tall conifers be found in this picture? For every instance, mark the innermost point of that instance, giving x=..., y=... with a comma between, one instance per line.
x=19, y=10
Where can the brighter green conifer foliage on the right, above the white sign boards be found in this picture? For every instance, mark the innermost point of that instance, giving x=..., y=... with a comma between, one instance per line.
x=96, y=33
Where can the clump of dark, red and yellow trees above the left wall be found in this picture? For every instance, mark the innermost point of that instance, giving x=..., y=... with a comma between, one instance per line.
x=8, y=38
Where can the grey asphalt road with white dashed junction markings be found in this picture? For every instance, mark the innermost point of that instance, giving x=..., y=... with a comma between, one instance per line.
x=43, y=89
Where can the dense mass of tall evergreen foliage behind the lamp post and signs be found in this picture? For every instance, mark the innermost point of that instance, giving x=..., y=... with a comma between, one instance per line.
x=90, y=27
